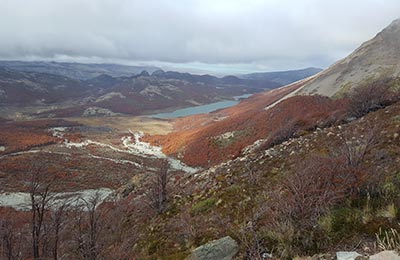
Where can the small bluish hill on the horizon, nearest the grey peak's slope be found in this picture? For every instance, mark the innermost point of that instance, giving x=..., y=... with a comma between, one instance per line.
x=282, y=77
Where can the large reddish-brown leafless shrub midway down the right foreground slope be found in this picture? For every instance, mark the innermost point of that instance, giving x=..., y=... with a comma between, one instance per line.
x=316, y=186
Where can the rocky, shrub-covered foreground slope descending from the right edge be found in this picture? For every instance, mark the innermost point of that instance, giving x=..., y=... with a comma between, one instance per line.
x=275, y=200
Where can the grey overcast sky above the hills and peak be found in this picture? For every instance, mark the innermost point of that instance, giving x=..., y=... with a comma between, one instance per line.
x=223, y=36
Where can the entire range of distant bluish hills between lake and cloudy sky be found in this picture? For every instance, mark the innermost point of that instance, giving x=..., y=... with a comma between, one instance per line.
x=51, y=89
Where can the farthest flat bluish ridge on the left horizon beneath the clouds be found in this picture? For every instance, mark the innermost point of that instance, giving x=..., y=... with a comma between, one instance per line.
x=79, y=71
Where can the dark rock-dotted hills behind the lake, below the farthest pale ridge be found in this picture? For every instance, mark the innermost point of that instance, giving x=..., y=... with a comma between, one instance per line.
x=51, y=95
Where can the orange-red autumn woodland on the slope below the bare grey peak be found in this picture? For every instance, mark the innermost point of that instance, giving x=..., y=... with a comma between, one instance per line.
x=202, y=143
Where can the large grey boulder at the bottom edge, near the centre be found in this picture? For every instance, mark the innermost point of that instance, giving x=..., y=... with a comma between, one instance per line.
x=221, y=249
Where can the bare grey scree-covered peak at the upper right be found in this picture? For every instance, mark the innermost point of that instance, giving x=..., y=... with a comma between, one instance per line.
x=375, y=59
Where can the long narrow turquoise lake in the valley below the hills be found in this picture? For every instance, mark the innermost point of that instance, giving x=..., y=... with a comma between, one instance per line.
x=201, y=109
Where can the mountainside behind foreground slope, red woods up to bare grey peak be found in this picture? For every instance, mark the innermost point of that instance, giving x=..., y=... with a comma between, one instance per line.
x=230, y=130
